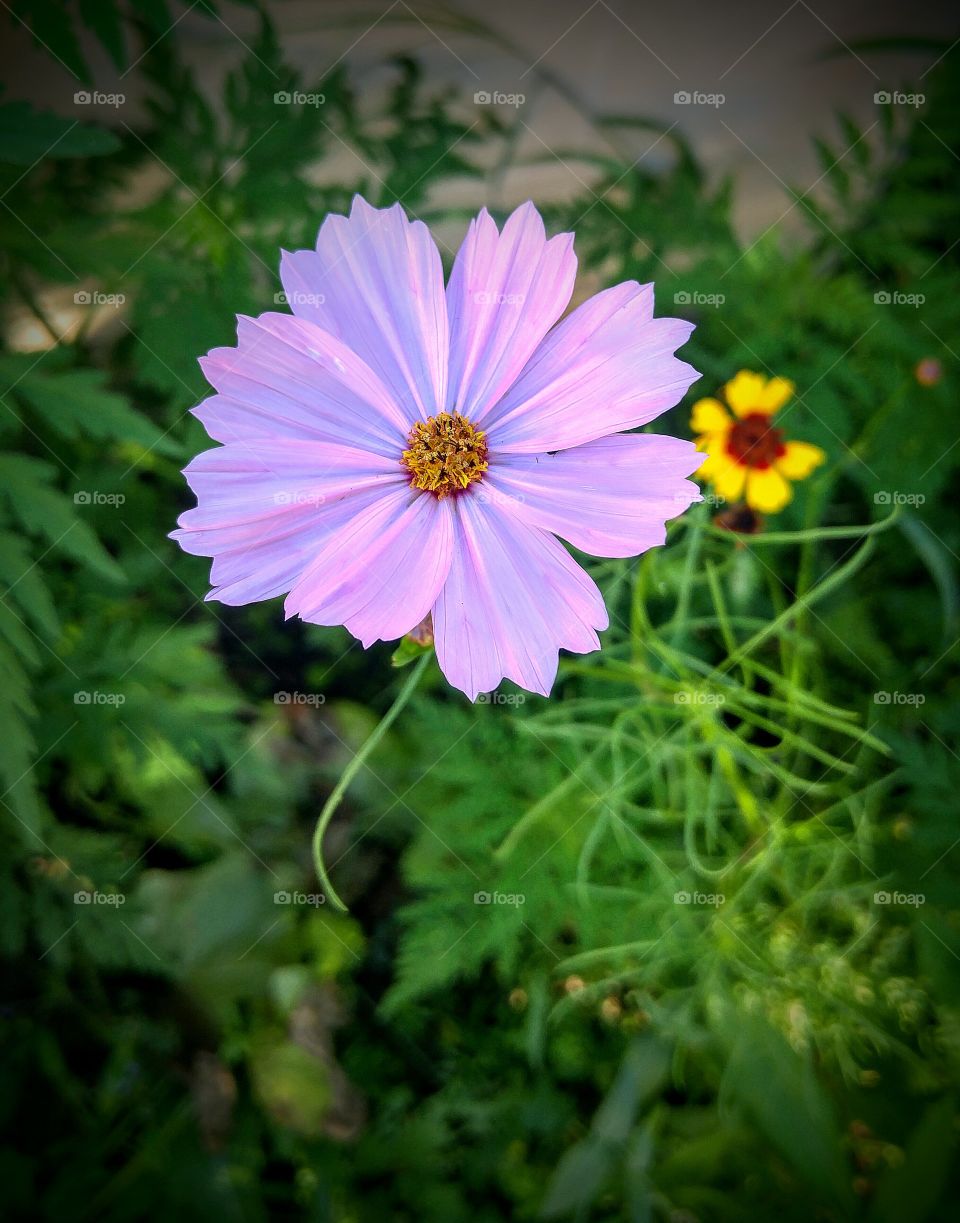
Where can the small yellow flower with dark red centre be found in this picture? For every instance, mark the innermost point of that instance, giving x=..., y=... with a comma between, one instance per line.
x=748, y=457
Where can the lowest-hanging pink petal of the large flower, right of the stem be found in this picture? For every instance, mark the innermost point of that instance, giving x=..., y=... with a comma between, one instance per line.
x=513, y=600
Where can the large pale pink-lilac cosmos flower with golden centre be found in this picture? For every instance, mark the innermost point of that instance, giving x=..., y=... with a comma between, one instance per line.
x=397, y=448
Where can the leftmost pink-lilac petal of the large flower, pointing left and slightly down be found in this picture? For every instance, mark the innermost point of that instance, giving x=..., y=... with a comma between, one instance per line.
x=266, y=508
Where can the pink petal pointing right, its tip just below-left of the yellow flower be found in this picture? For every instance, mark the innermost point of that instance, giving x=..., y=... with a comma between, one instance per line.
x=610, y=498
